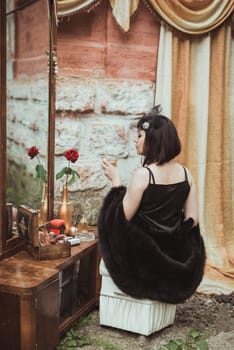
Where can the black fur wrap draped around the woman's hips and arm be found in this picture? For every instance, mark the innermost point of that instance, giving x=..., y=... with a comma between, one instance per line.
x=163, y=267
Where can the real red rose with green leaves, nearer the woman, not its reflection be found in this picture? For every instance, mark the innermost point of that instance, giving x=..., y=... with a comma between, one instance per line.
x=71, y=175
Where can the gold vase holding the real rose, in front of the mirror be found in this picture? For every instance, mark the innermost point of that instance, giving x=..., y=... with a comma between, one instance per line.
x=65, y=210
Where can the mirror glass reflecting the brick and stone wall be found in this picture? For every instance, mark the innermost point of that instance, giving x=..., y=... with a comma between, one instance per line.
x=27, y=104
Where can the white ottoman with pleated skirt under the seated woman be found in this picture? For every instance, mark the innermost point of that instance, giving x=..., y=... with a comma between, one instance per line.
x=119, y=310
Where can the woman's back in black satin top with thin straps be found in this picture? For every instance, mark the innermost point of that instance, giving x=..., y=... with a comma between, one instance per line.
x=162, y=203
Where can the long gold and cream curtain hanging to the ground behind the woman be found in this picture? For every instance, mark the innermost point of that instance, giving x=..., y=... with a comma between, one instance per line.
x=199, y=84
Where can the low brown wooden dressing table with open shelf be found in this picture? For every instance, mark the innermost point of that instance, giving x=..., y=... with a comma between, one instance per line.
x=40, y=299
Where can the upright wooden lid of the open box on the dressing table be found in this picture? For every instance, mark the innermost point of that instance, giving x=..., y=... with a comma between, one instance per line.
x=27, y=225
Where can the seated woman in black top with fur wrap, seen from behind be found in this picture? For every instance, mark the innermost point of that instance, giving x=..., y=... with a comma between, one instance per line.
x=149, y=232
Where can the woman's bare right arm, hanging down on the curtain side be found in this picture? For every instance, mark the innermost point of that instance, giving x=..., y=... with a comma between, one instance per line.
x=191, y=204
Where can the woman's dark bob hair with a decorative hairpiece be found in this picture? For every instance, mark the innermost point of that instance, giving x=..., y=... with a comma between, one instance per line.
x=162, y=142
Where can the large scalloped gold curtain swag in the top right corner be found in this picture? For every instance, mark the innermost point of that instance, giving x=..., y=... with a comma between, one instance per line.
x=193, y=16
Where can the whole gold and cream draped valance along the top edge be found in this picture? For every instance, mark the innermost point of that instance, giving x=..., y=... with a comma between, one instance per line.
x=193, y=17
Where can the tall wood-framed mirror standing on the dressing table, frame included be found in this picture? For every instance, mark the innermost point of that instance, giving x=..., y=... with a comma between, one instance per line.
x=28, y=99
